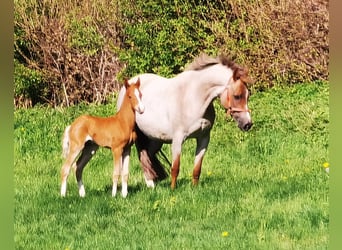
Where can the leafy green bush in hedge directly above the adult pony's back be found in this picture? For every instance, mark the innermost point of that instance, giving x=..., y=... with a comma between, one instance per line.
x=161, y=37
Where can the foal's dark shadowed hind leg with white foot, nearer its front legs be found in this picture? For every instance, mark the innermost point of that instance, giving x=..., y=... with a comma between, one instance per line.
x=87, y=153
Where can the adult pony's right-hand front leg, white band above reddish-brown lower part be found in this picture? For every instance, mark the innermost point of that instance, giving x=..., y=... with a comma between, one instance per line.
x=202, y=144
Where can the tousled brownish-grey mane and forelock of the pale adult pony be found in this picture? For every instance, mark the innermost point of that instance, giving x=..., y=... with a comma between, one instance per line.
x=203, y=61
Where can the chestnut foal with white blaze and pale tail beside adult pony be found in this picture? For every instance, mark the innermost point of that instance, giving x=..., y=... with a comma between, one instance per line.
x=116, y=132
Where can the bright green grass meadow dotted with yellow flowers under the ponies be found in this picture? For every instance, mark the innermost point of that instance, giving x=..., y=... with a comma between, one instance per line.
x=264, y=189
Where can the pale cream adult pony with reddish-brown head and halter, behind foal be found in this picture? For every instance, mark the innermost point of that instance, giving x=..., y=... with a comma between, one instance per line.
x=182, y=107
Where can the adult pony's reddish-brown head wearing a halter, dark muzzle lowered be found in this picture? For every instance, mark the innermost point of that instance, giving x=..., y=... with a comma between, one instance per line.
x=235, y=98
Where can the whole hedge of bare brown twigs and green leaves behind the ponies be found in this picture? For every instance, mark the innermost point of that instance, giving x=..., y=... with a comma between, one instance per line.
x=67, y=52
